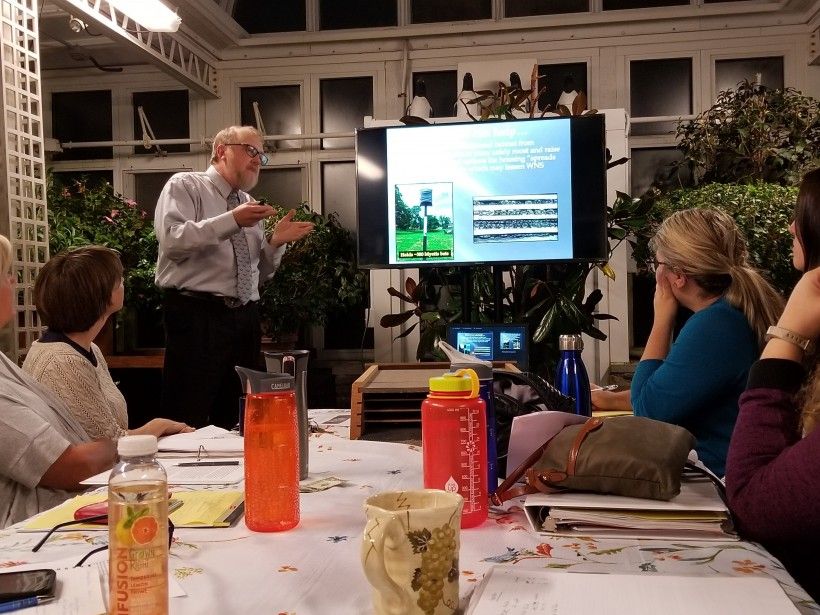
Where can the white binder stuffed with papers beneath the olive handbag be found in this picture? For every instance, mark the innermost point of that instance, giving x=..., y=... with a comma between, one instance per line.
x=696, y=513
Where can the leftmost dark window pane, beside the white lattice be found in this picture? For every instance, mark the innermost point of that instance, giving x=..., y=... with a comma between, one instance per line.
x=82, y=116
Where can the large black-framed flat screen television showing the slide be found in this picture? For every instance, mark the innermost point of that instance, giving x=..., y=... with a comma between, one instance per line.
x=482, y=193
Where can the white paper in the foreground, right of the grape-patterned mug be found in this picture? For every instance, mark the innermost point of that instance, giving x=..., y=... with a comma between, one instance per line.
x=509, y=590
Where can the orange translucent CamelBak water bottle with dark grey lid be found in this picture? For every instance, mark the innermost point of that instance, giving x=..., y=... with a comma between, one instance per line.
x=271, y=452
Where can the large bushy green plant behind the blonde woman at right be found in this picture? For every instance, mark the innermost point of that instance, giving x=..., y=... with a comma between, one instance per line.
x=748, y=153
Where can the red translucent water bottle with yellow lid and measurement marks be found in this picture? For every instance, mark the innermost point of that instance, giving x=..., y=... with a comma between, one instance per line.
x=454, y=441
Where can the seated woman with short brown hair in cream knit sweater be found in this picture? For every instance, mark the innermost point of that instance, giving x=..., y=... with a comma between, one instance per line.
x=75, y=293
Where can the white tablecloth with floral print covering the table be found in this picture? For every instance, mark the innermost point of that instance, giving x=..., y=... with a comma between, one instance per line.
x=315, y=569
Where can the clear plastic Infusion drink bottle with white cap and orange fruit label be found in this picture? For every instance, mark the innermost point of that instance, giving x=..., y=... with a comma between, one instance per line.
x=138, y=530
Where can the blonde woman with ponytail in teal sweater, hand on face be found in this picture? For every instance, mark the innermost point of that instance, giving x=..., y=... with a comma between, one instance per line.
x=701, y=263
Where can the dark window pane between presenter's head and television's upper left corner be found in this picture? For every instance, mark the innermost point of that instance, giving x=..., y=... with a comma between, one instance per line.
x=345, y=102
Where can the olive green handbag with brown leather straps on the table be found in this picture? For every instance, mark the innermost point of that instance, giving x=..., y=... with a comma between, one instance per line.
x=623, y=455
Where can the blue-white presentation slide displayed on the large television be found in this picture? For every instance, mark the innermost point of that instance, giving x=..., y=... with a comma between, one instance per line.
x=480, y=192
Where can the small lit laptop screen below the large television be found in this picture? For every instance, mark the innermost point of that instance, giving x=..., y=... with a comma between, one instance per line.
x=491, y=342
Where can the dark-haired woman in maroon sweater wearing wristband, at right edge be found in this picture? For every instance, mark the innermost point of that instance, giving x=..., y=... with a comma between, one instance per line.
x=772, y=477
